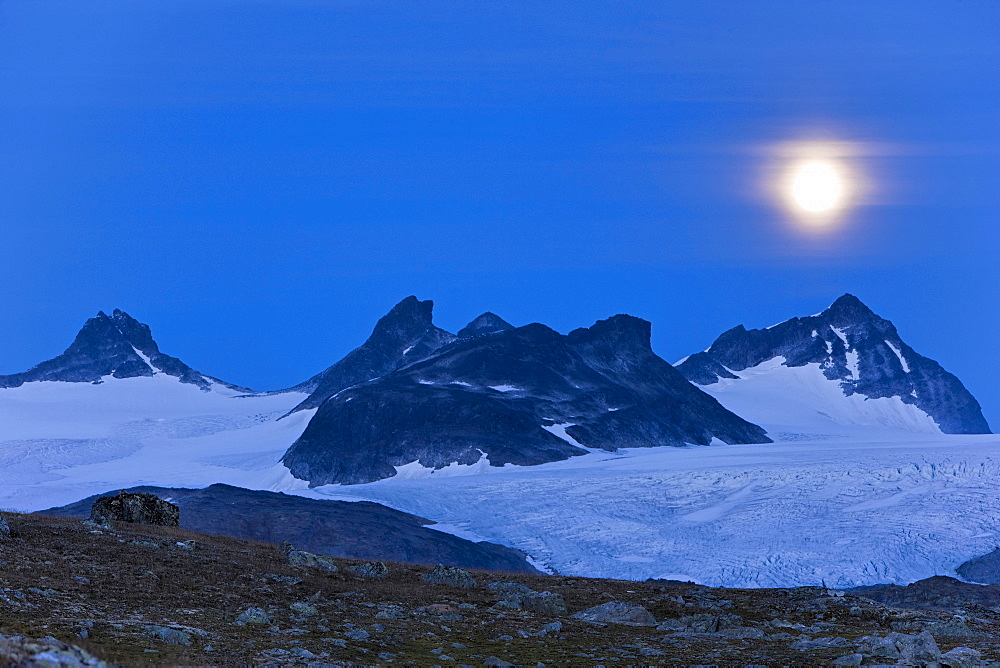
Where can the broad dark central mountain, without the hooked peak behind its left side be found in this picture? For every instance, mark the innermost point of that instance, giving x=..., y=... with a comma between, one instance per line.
x=524, y=396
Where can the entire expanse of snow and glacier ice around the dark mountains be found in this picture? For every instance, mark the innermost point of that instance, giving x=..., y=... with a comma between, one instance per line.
x=838, y=500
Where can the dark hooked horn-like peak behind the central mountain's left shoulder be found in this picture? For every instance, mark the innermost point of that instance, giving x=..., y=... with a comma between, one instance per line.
x=403, y=335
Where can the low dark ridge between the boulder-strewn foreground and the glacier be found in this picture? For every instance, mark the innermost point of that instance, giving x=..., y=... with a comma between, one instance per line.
x=356, y=530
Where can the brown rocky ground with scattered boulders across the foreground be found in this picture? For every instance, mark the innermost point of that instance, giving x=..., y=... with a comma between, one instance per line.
x=75, y=593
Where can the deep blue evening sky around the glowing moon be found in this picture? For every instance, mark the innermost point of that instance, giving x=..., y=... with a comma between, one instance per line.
x=260, y=181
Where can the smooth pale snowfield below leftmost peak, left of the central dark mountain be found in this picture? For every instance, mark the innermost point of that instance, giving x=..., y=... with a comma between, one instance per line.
x=61, y=441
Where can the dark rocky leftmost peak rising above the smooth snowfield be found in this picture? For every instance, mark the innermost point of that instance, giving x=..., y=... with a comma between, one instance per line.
x=118, y=346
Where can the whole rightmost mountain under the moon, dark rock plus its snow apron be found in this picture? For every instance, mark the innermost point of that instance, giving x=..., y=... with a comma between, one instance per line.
x=842, y=368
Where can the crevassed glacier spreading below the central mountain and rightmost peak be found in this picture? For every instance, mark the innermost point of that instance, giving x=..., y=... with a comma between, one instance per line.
x=841, y=511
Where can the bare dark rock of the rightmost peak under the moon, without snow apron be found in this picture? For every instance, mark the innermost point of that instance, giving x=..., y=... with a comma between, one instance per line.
x=853, y=347
